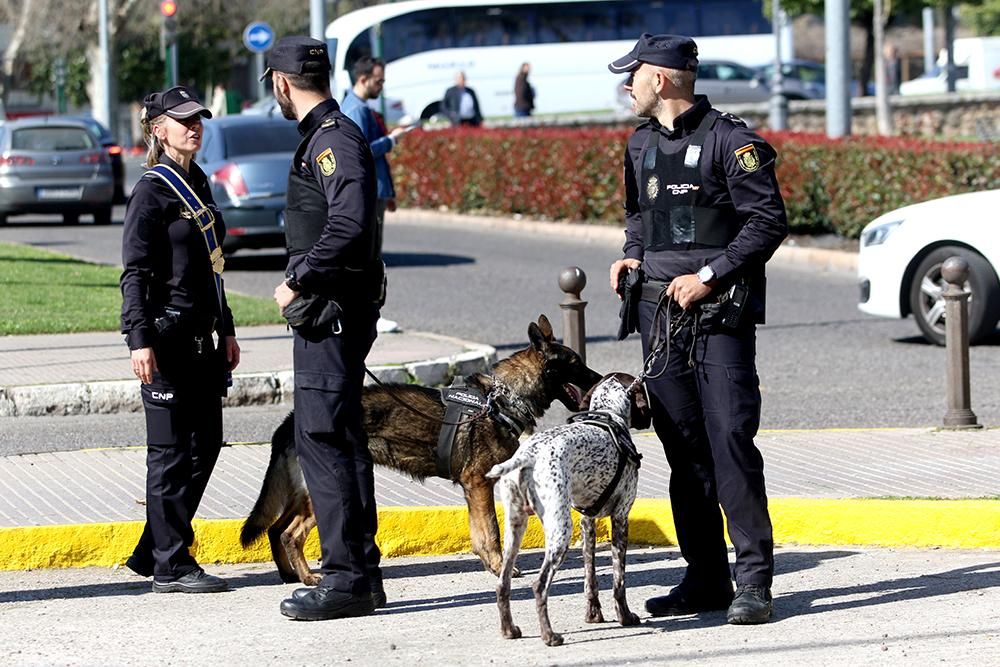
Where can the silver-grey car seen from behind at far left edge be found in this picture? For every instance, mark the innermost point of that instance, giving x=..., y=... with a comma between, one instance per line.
x=54, y=165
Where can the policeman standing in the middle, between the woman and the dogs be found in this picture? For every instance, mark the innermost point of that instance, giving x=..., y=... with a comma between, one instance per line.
x=331, y=296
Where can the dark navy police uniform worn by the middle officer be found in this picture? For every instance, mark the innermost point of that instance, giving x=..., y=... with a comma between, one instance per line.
x=332, y=241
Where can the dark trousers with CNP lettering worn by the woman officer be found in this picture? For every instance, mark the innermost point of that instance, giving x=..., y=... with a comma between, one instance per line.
x=184, y=437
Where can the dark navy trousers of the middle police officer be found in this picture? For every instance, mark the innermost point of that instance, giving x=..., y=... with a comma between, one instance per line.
x=333, y=450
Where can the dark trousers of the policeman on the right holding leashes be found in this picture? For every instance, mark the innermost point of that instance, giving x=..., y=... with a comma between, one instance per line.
x=707, y=417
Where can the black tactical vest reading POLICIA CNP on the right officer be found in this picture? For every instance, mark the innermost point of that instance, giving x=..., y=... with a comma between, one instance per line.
x=677, y=214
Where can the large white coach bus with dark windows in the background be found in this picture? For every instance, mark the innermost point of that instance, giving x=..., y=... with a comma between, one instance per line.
x=425, y=43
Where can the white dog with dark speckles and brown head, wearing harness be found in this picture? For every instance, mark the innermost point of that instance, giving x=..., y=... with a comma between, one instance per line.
x=589, y=464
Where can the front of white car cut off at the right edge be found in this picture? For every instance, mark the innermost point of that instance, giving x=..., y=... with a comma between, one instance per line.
x=899, y=266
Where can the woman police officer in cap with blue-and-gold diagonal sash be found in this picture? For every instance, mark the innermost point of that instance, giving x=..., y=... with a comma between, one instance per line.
x=173, y=301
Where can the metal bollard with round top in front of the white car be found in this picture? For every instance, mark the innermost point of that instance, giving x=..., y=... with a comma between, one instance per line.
x=955, y=272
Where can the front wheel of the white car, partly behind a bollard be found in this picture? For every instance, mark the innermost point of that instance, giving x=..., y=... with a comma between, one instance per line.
x=927, y=302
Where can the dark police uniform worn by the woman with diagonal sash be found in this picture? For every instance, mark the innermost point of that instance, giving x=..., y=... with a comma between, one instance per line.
x=170, y=303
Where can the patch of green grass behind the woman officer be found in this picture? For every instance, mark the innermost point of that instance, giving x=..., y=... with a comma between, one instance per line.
x=47, y=292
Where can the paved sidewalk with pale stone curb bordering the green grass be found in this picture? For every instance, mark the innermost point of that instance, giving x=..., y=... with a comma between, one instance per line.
x=89, y=373
